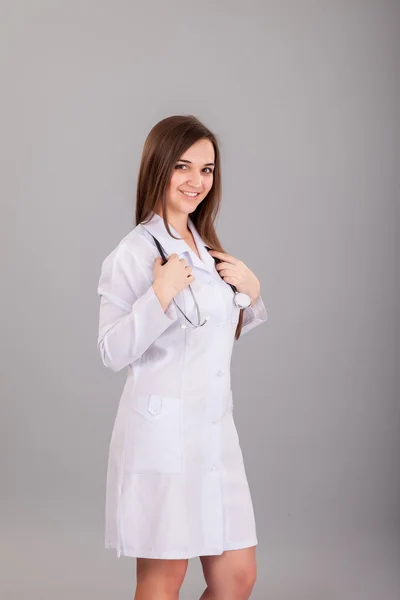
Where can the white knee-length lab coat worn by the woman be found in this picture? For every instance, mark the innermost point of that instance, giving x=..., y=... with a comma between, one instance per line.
x=176, y=483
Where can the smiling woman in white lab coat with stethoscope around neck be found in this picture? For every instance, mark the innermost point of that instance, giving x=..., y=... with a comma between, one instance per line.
x=176, y=483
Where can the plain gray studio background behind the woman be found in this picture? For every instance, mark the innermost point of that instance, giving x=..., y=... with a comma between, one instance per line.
x=304, y=97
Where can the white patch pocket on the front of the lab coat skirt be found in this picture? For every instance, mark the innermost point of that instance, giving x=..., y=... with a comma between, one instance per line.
x=154, y=440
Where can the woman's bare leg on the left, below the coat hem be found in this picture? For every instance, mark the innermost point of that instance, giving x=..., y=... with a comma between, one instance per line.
x=159, y=579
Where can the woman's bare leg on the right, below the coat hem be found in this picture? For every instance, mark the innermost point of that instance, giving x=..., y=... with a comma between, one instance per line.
x=230, y=575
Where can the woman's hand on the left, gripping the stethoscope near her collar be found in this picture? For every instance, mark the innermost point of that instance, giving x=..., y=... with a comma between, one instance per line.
x=171, y=278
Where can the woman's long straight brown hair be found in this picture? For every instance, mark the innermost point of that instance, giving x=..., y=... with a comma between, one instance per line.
x=163, y=147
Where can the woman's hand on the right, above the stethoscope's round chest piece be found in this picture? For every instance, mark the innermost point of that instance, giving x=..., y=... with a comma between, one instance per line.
x=234, y=271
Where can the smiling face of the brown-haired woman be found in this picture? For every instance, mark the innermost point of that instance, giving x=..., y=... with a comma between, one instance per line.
x=193, y=173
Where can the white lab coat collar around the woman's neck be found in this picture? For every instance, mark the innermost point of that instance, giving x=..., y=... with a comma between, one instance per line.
x=156, y=226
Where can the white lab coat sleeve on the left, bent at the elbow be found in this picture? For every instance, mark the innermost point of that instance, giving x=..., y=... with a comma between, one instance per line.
x=131, y=316
